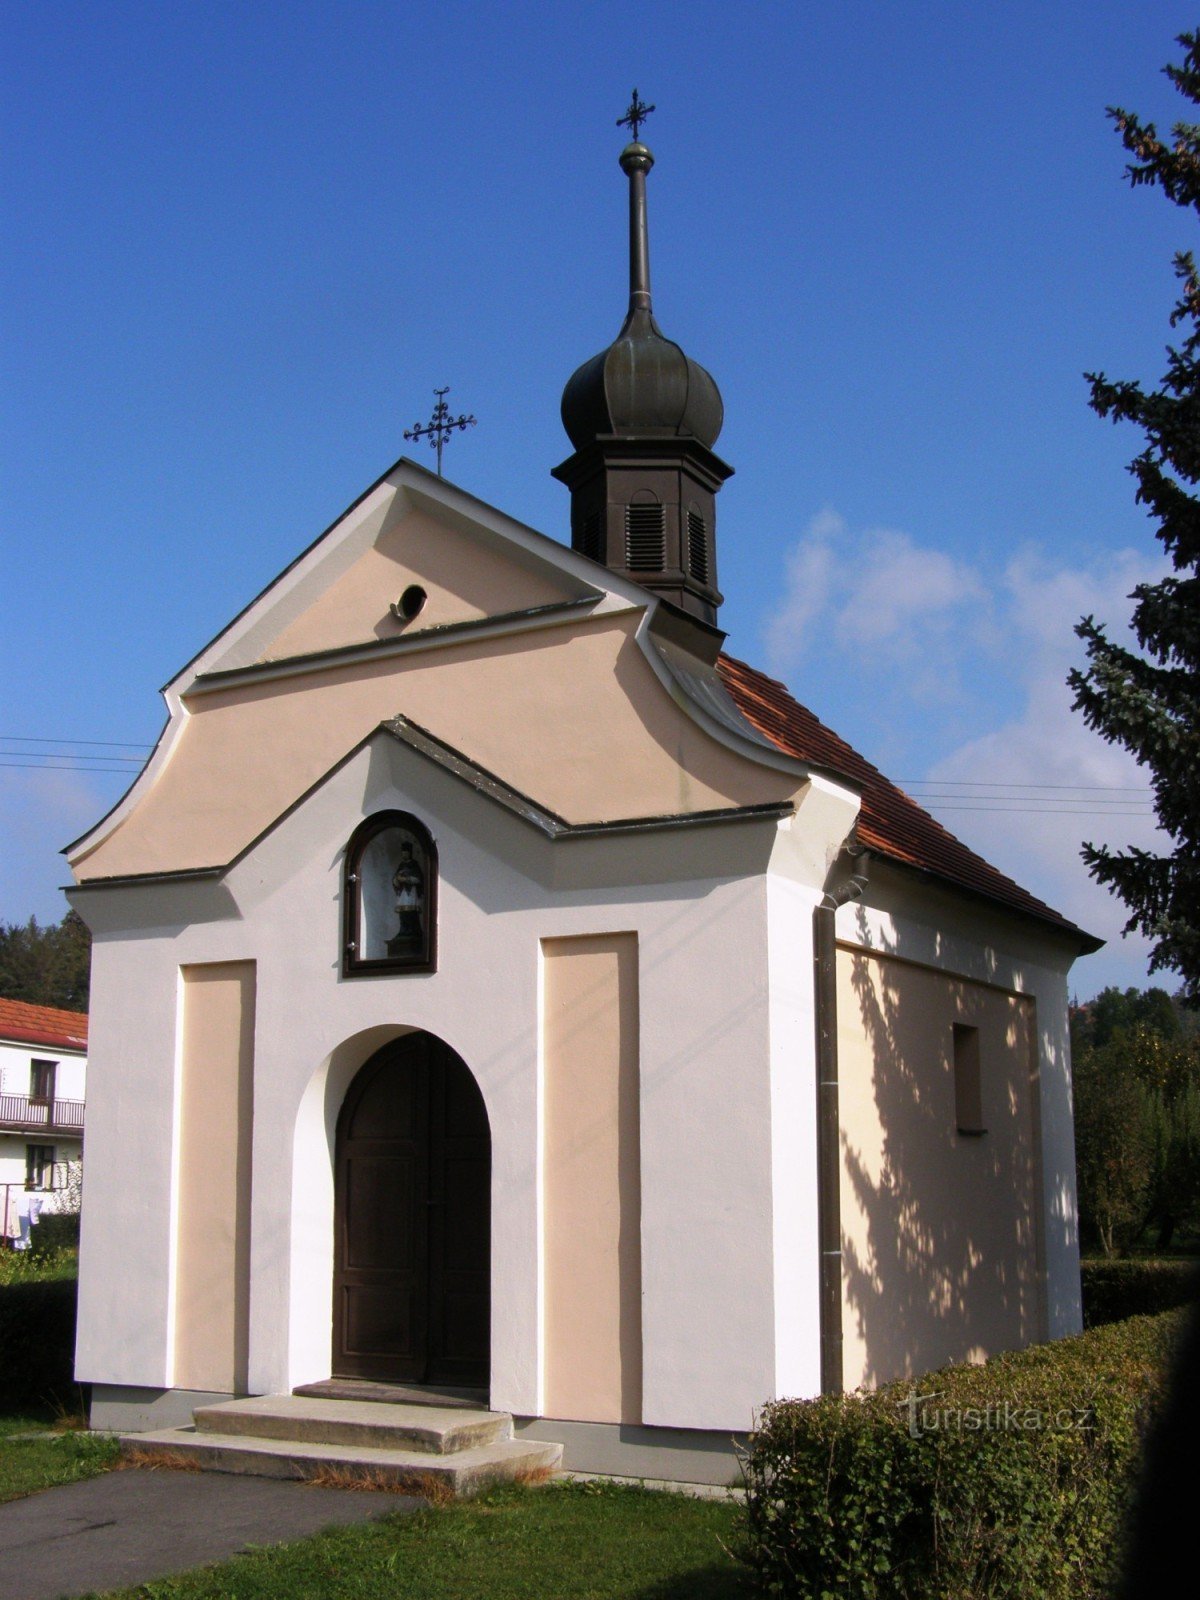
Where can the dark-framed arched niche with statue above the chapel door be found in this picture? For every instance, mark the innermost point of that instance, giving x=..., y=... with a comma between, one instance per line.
x=390, y=897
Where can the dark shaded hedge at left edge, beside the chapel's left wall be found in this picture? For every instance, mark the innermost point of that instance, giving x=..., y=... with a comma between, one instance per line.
x=38, y=1343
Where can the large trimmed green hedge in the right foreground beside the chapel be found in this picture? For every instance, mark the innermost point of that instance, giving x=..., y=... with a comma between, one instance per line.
x=1015, y=1481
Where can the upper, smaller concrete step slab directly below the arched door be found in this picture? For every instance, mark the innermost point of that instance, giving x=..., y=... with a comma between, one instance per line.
x=369, y=1425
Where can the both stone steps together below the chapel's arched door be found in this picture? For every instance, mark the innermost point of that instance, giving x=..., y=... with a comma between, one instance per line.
x=378, y=1442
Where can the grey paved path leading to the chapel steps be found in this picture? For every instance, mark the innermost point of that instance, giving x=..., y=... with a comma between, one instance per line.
x=132, y=1527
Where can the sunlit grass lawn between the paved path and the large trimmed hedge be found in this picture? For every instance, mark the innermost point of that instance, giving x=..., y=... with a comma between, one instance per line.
x=566, y=1542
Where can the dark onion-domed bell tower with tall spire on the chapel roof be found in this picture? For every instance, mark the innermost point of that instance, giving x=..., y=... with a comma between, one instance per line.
x=644, y=418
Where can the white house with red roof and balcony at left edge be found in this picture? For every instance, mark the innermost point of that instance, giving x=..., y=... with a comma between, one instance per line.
x=44, y=1066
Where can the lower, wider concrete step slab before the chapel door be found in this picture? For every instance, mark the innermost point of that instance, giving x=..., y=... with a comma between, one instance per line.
x=462, y=1471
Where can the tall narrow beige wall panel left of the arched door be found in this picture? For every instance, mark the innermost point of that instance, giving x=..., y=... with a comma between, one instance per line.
x=212, y=1276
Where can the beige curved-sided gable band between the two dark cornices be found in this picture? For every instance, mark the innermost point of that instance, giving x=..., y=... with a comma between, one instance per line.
x=545, y=711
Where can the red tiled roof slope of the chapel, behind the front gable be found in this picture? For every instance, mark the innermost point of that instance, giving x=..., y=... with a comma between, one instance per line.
x=889, y=823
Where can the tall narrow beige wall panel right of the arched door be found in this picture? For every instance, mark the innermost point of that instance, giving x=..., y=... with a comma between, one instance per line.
x=591, y=1180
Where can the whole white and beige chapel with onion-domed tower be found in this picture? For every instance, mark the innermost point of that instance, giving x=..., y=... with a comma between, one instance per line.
x=498, y=986
